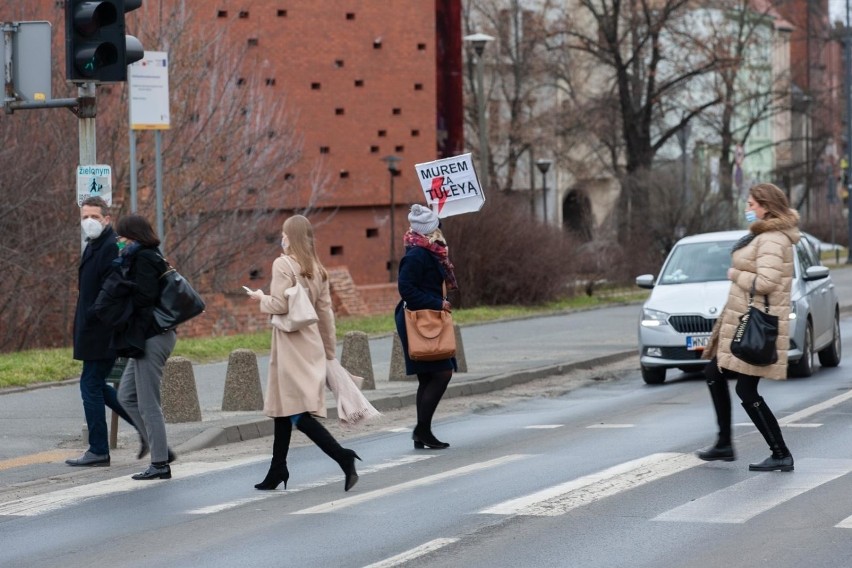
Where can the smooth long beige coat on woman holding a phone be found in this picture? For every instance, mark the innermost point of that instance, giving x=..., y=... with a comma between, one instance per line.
x=297, y=362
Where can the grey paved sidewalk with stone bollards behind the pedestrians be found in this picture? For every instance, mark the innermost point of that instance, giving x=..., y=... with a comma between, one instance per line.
x=498, y=355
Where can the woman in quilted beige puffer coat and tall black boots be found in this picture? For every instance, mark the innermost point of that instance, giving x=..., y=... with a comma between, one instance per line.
x=763, y=258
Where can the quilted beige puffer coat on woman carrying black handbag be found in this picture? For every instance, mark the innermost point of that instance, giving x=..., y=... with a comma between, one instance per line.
x=768, y=262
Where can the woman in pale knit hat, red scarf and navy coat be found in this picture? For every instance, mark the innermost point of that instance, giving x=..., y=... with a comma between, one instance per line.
x=423, y=271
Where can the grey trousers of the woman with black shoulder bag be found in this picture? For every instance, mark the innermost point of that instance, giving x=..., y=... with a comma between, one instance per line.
x=139, y=393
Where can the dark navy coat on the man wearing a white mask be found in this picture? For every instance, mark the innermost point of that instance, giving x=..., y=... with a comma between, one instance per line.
x=91, y=338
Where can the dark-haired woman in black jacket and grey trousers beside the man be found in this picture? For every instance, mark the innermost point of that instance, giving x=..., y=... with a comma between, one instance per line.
x=147, y=346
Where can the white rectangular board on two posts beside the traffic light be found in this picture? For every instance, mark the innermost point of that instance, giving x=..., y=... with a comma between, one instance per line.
x=148, y=80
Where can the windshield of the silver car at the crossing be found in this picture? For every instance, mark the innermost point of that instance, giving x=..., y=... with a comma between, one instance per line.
x=698, y=262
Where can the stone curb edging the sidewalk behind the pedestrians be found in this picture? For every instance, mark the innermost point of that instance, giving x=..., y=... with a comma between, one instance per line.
x=222, y=435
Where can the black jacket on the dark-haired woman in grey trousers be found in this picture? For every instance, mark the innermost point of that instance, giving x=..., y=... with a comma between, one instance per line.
x=144, y=268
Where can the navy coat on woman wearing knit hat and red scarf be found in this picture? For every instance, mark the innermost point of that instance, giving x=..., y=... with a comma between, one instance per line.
x=420, y=285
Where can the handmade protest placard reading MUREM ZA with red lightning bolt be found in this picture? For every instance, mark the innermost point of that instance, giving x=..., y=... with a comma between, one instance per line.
x=451, y=186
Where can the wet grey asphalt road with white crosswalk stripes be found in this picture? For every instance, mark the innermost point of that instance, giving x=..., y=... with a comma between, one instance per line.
x=602, y=475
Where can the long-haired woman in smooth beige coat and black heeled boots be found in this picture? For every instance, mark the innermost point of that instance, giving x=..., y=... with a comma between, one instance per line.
x=295, y=391
